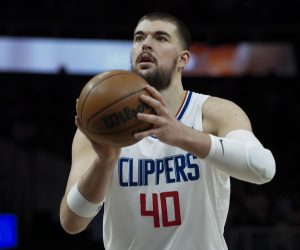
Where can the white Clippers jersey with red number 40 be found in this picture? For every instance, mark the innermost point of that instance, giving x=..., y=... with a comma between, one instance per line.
x=164, y=198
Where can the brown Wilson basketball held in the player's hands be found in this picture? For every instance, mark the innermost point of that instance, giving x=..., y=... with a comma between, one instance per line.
x=108, y=105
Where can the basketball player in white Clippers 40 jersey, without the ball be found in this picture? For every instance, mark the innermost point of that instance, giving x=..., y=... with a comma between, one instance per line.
x=171, y=189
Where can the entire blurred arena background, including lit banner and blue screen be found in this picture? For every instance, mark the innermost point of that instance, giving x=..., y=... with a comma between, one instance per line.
x=245, y=51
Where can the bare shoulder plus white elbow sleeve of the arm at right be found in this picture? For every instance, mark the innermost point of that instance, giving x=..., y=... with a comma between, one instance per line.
x=234, y=149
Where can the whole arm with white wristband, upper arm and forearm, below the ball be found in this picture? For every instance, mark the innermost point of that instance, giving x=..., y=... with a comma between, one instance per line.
x=87, y=183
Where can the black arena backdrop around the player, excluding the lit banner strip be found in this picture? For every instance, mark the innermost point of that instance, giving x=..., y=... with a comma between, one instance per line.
x=37, y=110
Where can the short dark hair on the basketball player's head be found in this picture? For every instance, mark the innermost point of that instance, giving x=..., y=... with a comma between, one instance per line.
x=183, y=31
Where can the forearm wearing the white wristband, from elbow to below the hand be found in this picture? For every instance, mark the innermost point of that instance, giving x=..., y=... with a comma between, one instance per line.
x=92, y=188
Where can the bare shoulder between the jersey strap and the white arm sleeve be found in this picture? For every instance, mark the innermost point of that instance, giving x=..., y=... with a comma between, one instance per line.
x=221, y=115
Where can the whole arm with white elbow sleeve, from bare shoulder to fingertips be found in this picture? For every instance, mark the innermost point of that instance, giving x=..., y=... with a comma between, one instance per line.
x=227, y=141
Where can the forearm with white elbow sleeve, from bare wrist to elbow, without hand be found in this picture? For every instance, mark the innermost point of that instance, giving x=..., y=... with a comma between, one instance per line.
x=239, y=154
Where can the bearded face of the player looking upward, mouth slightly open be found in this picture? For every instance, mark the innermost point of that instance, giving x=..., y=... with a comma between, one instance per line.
x=155, y=52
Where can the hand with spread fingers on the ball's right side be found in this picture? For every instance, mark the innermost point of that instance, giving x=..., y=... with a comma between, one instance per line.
x=165, y=125
